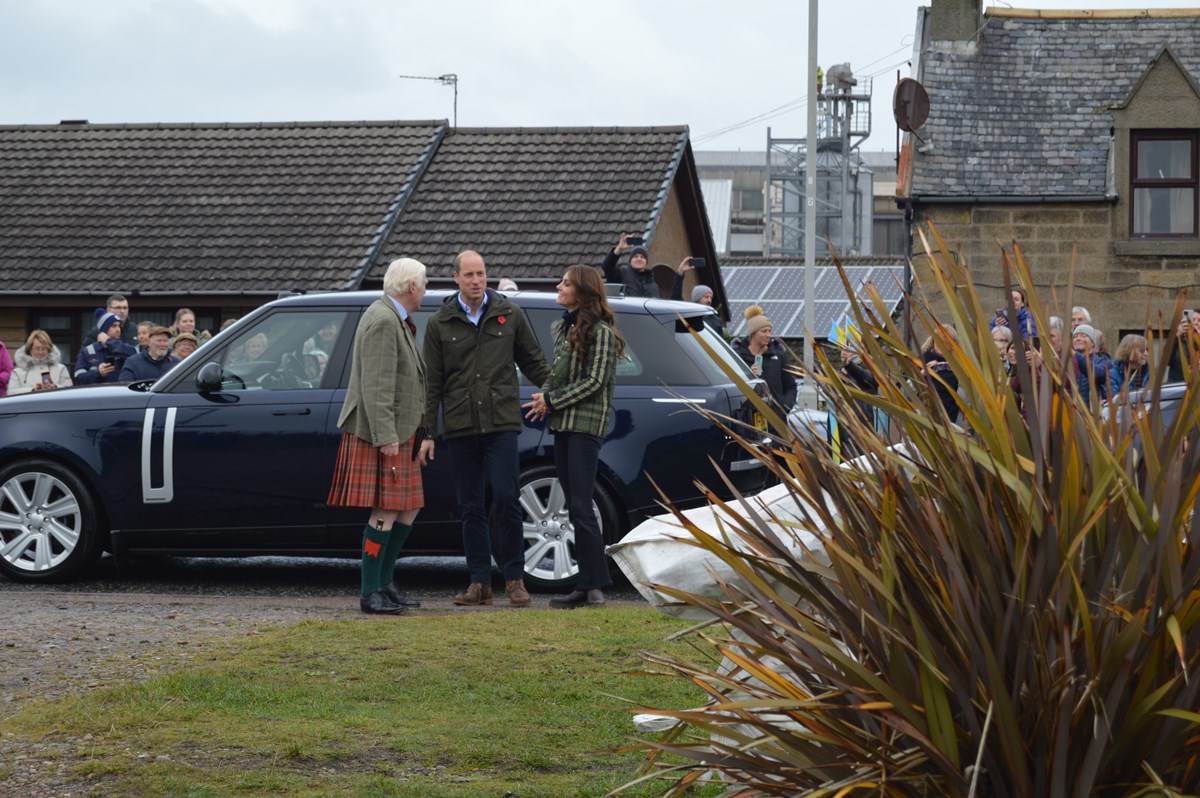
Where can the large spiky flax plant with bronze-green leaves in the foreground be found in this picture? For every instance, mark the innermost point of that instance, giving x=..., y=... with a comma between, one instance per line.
x=1005, y=608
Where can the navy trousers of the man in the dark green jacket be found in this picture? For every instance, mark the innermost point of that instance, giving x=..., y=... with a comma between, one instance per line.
x=482, y=461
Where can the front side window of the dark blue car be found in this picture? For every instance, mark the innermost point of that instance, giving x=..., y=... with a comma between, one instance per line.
x=287, y=350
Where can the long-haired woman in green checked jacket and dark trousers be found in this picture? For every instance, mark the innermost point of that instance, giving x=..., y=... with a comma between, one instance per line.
x=578, y=398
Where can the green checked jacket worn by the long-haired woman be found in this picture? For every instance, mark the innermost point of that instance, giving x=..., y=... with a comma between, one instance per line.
x=580, y=392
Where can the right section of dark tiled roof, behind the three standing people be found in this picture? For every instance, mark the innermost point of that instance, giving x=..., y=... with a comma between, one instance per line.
x=535, y=201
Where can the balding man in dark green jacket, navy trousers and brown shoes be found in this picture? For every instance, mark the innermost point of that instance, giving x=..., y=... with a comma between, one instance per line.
x=471, y=346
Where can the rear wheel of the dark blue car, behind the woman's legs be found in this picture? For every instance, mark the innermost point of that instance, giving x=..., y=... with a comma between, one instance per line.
x=549, y=536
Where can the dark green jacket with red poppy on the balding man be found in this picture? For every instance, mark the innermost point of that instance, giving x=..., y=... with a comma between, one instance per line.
x=471, y=374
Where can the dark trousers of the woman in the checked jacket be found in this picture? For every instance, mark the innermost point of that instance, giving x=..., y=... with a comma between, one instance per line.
x=577, y=455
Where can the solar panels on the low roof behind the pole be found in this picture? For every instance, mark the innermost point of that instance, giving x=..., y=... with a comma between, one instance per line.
x=779, y=290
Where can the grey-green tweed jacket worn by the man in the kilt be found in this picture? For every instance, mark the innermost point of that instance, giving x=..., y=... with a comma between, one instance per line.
x=387, y=393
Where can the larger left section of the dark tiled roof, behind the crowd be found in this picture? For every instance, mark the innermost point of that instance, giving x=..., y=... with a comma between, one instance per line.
x=199, y=208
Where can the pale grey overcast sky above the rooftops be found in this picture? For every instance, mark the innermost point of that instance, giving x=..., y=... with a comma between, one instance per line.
x=531, y=63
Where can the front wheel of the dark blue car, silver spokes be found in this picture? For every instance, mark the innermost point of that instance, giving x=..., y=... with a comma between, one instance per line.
x=49, y=529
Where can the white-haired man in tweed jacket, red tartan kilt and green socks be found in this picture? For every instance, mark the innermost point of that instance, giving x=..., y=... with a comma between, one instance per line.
x=382, y=430
